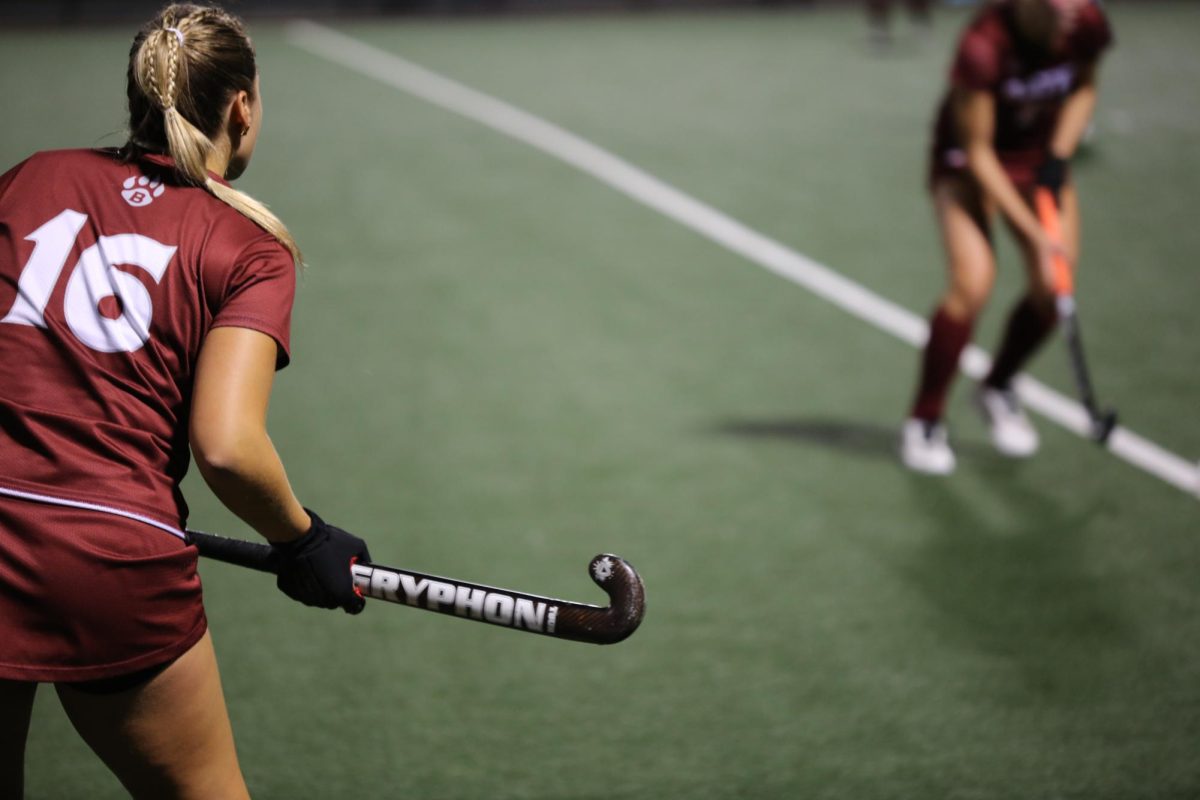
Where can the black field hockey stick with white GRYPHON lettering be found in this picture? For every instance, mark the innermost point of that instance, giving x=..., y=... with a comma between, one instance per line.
x=475, y=601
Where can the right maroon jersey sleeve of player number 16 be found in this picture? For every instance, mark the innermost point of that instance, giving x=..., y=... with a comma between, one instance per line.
x=257, y=293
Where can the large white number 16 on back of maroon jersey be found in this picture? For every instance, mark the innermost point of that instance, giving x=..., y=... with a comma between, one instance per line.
x=94, y=279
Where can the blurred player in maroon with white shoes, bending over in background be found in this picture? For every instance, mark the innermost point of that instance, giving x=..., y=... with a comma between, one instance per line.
x=1023, y=88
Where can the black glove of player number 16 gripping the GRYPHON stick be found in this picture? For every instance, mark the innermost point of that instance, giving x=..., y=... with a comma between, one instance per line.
x=316, y=568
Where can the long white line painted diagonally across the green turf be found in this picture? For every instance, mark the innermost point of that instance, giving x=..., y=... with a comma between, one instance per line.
x=711, y=224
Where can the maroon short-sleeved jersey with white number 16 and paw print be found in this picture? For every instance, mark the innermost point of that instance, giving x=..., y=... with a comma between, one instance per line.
x=111, y=276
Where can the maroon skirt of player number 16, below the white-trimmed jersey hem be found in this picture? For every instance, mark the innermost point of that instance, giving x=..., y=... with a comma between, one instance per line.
x=87, y=596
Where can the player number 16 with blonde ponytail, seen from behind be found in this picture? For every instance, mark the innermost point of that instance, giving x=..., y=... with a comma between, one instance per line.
x=145, y=309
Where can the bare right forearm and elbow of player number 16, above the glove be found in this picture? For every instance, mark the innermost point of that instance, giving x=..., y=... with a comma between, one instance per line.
x=229, y=434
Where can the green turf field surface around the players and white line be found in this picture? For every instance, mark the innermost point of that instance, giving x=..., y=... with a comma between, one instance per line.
x=503, y=368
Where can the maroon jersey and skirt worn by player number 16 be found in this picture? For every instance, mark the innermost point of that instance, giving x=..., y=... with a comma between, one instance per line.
x=111, y=276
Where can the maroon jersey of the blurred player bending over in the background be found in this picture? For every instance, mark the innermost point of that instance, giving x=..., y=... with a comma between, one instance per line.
x=1029, y=86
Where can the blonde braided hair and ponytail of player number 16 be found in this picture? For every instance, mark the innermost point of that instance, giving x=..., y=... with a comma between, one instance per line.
x=194, y=59
